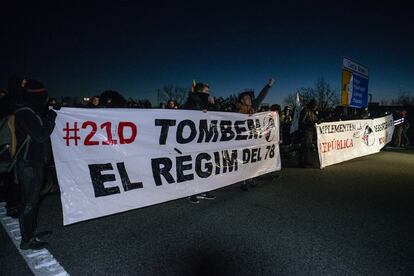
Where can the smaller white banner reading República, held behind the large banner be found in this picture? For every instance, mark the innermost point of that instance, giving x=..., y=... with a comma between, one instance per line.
x=345, y=140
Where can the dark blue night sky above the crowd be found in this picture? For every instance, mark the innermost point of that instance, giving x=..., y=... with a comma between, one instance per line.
x=80, y=49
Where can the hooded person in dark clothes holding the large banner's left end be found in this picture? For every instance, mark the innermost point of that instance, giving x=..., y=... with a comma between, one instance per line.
x=34, y=124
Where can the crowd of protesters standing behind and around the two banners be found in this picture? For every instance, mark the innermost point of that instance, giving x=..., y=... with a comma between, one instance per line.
x=29, y=120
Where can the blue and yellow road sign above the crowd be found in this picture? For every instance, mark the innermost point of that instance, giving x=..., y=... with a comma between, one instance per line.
x=354, y=84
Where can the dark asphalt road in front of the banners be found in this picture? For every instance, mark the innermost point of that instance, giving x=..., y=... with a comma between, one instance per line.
x=354, y=218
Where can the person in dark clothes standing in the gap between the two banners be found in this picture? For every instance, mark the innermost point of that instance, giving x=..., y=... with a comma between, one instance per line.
x=307, y=121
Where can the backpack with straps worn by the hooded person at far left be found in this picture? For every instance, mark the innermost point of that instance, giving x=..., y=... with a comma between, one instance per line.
x=8, y=142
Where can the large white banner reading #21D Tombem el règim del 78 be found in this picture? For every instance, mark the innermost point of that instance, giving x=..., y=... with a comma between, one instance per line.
x=113, y=160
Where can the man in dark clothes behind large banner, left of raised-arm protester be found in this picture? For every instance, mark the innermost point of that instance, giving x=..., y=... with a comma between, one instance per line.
x=200, y=99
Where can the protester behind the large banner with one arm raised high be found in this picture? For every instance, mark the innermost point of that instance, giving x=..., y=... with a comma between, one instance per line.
x=248, y=105
